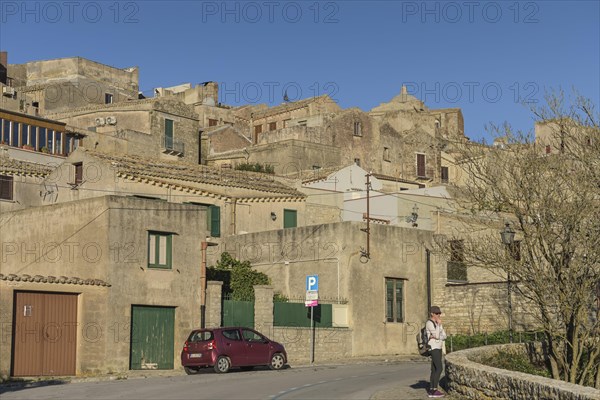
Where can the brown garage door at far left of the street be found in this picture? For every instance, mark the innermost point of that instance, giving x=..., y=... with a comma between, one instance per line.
x=45, y=334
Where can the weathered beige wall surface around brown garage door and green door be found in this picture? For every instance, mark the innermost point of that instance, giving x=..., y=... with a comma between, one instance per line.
x=76, y=245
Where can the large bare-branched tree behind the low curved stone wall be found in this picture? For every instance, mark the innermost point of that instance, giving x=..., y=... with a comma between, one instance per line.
x=548, y=187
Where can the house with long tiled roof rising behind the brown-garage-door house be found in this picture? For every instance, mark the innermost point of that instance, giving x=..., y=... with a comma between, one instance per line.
x=237, y=201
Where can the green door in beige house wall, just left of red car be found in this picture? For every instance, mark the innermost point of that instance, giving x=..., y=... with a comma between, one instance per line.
x=152, y=337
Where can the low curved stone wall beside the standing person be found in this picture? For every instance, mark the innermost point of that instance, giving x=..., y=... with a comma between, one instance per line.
x=476, y=381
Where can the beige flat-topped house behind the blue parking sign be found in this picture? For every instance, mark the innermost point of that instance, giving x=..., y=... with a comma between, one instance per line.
x=384, y=297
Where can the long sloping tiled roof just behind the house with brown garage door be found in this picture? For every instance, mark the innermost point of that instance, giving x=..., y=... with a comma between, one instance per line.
x=190, y=176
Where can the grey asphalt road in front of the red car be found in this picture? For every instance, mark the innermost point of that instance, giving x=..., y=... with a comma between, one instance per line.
x=399, y=380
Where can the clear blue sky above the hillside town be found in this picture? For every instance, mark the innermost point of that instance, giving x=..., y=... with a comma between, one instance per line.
x=484, y=57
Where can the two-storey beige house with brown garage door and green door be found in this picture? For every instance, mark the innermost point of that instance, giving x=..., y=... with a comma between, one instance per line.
x=102, y=285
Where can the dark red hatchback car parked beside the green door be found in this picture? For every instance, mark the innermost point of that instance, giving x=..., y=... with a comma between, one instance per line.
x=225, y=348
